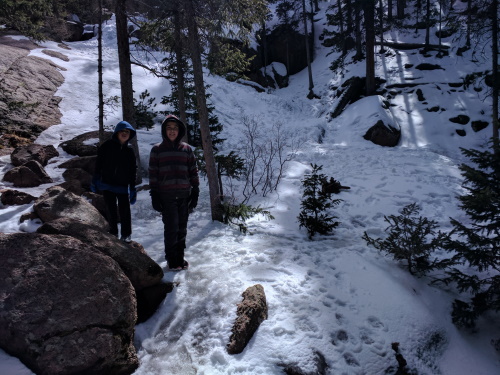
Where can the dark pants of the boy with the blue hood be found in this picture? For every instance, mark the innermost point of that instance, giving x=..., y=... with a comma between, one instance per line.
x=112, y=210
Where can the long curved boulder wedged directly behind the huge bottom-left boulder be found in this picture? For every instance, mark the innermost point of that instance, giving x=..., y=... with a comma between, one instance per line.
x=132, y=258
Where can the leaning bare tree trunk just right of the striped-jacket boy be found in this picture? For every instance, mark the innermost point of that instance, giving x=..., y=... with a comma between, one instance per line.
x=213, y=185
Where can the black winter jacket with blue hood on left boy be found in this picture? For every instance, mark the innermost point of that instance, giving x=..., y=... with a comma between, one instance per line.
x=116, y=164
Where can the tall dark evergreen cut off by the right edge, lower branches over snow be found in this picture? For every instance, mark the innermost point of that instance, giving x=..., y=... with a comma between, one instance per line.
x=477, y=243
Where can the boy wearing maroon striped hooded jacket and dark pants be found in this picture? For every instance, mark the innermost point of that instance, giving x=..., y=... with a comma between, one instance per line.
x=174, y=181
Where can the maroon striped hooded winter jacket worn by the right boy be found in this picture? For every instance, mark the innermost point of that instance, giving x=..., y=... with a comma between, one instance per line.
x=172, y=165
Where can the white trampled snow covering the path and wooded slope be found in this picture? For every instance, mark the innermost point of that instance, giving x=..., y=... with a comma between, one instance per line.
x=334, y=294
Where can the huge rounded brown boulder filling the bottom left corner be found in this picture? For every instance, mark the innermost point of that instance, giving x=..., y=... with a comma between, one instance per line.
x=65, y=308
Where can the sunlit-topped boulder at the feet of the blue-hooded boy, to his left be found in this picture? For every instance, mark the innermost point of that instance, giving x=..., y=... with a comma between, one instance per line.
x=58, y=202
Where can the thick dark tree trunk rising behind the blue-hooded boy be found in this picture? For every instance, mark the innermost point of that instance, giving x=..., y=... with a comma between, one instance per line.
x=126, y=75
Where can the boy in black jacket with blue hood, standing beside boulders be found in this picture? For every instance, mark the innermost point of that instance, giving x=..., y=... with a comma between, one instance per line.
x=115, y=175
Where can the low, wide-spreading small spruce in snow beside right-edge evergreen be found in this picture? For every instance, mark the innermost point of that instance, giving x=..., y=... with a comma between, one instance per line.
x=412, y=238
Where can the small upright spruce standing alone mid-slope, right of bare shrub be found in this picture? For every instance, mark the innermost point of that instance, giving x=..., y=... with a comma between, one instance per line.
x=316, y=203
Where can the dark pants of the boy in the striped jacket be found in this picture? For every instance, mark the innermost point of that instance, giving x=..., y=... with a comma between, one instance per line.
x=175, y=218
